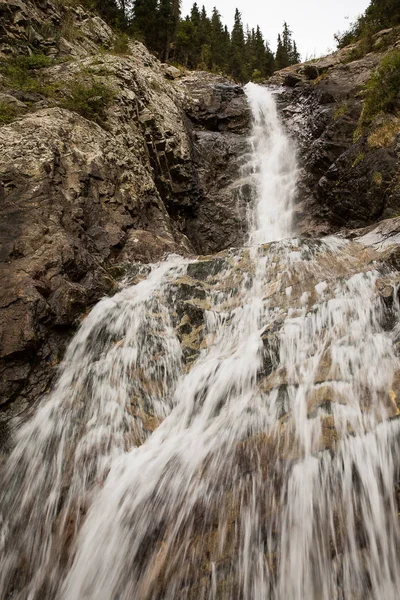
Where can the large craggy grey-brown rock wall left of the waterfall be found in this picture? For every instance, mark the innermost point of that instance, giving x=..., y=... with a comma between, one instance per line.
x=83, y=197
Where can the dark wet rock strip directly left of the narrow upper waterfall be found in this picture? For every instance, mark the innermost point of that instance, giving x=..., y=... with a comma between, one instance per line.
x=221, y=118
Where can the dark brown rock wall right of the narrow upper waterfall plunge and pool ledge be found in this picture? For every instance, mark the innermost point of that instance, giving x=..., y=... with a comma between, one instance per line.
x=349, y=178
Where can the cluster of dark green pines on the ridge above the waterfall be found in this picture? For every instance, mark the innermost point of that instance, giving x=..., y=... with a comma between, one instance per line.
x=198, y=41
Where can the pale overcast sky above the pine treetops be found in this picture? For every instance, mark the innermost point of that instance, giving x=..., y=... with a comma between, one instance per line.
x=313, y=22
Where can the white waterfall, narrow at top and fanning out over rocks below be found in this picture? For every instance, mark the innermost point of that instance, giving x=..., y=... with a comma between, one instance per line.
x=258, y=463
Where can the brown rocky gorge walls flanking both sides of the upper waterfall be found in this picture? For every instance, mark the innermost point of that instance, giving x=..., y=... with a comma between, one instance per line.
x=85, y=201
